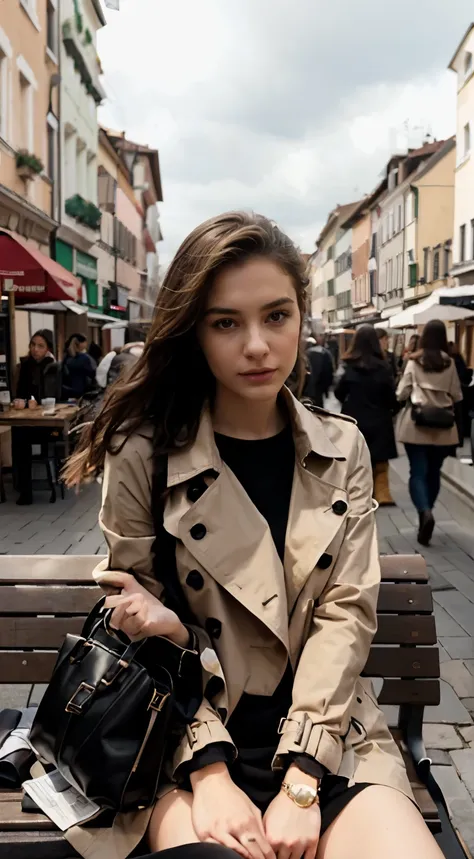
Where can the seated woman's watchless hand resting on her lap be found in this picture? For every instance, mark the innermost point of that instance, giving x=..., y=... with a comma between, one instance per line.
x=223, y=814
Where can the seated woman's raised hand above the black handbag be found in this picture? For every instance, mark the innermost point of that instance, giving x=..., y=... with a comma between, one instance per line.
x=138, y=613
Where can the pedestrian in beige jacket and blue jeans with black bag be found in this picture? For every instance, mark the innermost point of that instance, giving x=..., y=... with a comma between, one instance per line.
x=429, y=390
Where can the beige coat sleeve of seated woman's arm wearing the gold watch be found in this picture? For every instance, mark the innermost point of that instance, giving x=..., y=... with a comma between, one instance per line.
x=344, y=623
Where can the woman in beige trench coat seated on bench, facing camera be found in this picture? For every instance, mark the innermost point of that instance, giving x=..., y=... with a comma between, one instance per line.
x=271, y=508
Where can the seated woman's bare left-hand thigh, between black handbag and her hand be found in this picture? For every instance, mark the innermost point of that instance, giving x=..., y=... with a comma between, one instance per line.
x=171, y=823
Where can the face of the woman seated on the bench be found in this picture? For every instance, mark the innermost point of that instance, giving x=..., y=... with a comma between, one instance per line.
x=251, y=328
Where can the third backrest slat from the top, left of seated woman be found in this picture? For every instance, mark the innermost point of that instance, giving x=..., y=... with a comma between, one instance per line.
x=38, y=632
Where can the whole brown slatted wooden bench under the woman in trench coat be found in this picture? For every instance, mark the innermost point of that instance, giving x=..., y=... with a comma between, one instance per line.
x=42, y=598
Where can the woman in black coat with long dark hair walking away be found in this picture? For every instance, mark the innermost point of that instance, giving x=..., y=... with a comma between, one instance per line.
x=366, y=390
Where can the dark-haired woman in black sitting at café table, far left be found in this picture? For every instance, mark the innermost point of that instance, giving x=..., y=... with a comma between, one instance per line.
x=37, y=380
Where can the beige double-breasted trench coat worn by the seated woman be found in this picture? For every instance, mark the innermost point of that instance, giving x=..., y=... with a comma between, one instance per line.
x=318, y=608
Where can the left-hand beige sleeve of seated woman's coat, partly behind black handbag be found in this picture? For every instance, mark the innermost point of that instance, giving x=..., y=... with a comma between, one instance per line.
x=127, y=524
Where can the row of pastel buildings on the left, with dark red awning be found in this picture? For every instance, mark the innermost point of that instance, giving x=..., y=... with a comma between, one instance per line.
x=76, y=200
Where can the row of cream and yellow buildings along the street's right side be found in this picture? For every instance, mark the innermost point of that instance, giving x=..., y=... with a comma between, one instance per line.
x=414, y=233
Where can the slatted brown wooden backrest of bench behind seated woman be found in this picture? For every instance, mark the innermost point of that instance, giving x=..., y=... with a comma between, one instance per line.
x=44, y=597
